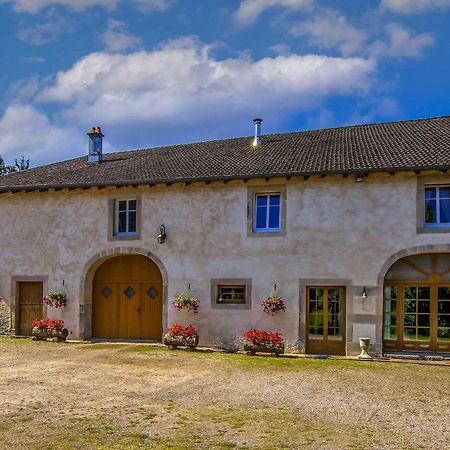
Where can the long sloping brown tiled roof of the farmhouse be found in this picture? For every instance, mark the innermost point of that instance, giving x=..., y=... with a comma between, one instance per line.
x=395, y=146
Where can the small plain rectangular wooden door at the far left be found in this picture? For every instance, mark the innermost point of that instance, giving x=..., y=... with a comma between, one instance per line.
x=30, y=305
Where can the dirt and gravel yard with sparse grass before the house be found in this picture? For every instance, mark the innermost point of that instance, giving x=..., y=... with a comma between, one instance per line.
x=102, y=396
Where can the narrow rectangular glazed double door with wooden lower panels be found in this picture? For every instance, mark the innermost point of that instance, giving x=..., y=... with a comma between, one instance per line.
x=326, y=320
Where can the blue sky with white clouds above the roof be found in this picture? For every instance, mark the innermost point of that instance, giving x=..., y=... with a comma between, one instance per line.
x=162, y=72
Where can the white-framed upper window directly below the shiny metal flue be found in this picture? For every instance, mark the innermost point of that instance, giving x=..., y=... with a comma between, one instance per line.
x=267, y=212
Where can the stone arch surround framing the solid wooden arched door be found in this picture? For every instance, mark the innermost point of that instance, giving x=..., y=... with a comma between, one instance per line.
x=85, y=312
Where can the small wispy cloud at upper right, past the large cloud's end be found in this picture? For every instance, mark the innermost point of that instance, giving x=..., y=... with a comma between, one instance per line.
x=401, y=43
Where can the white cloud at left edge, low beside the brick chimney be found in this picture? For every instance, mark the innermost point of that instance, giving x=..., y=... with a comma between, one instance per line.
x=26, y=131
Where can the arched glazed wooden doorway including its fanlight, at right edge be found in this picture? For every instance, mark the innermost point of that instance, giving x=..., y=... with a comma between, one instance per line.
x=416, y=304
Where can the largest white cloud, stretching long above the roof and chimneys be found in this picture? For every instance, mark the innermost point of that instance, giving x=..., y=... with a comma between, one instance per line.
x=182, y=91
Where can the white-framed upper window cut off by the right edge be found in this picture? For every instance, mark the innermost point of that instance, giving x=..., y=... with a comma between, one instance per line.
x=437, y=206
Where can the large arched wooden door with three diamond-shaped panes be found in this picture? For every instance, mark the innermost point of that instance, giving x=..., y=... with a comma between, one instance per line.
x=127, y=299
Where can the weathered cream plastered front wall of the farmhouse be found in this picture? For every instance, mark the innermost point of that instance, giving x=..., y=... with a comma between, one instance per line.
x=337, y=229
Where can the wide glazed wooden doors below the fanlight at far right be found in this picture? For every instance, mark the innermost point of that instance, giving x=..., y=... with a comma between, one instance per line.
x=417, y=317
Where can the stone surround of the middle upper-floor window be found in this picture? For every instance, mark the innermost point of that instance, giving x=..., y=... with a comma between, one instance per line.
x=266, y=189
